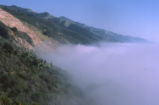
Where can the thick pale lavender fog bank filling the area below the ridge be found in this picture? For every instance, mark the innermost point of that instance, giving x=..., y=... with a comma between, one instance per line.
x=112, y=74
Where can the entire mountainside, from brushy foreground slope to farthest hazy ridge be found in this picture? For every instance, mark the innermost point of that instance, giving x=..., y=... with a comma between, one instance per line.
x=26, y=79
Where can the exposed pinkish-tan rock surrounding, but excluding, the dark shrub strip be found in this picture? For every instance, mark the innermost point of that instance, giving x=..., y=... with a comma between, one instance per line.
x=14, y=23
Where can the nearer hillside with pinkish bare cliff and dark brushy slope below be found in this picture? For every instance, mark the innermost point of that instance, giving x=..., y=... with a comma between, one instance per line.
x=25, y=79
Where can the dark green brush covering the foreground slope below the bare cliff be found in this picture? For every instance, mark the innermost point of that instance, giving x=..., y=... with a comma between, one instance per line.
x=25, y=78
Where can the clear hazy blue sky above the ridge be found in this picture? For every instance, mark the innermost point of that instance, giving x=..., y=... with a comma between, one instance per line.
x=130, y=17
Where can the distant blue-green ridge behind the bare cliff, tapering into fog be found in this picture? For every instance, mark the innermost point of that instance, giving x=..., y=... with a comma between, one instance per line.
x=65, y=30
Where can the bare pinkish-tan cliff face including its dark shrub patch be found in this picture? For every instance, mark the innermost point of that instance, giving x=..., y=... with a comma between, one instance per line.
x=17, y=29
